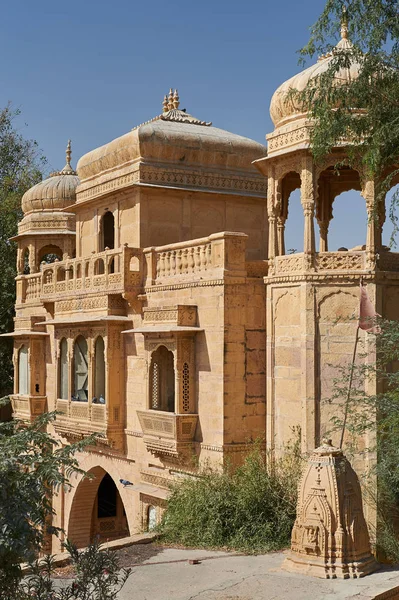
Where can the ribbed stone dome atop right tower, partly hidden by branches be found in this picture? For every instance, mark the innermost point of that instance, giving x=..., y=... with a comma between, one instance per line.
x=282, y=109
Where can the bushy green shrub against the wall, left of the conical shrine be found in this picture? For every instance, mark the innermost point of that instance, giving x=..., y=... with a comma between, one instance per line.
x=250, y=509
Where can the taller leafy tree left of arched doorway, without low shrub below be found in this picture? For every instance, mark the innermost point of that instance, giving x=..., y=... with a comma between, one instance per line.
x=32, y=463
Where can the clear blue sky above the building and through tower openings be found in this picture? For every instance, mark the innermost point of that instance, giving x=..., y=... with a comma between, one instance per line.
x=90, y=71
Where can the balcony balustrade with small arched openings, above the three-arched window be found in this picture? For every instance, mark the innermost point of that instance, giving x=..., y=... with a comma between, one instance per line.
x=112, y=271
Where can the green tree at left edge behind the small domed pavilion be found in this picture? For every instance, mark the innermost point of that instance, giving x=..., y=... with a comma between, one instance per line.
x=21, y=165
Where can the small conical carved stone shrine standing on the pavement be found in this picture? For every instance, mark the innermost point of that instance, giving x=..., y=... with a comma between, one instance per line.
x=330, y=537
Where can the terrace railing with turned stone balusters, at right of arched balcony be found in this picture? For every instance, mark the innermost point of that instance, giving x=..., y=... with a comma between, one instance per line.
x=196, y=259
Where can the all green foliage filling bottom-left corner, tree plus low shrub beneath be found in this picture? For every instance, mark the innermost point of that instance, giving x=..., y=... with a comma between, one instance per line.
x=33, y=465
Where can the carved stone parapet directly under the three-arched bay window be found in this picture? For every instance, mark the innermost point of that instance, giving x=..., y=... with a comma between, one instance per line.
x=82, y=418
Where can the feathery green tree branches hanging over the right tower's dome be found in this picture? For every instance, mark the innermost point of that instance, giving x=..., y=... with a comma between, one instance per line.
x=364, y=111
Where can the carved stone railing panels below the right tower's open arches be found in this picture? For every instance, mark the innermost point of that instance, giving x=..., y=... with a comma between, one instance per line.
x=323, y=262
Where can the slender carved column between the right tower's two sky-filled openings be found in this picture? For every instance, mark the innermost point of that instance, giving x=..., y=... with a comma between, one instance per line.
x=308, y=205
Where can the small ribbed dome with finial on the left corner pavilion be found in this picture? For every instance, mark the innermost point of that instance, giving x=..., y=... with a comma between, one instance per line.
x=54, y=193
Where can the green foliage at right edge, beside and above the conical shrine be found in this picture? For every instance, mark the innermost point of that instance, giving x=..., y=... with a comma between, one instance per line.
x=376, y=417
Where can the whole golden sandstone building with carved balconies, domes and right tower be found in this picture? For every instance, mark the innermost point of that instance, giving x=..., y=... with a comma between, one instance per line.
x=157, y=306
